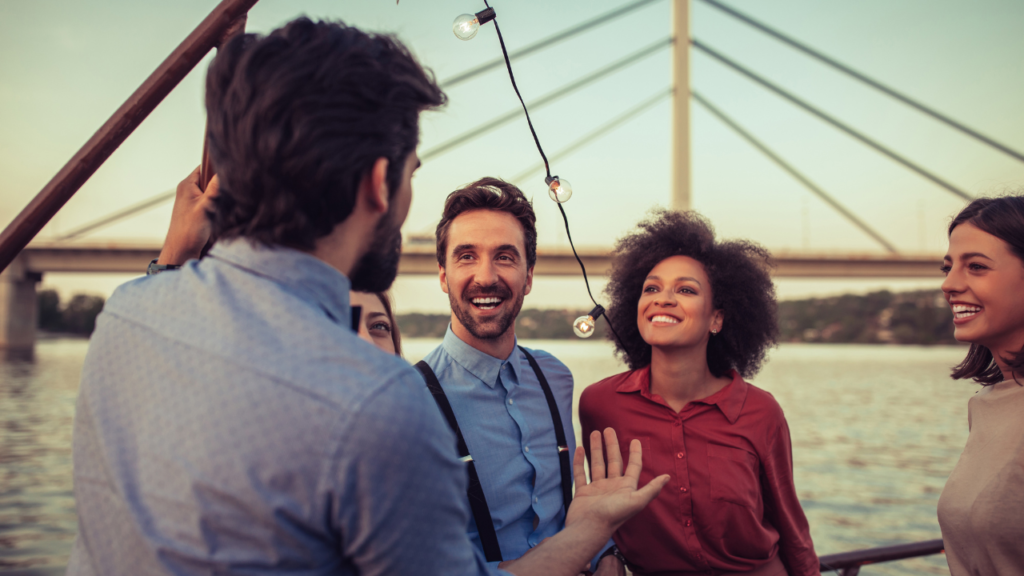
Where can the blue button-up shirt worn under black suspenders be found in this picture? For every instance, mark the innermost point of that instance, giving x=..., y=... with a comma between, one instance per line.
x=505, y=420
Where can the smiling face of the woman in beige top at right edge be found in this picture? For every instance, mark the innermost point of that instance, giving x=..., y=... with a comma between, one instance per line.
x=986, y=290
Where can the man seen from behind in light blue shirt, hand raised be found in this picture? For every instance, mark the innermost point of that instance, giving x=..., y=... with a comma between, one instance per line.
x=230, y=421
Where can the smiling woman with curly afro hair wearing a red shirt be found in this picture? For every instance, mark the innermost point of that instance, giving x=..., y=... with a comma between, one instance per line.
x=697, y=317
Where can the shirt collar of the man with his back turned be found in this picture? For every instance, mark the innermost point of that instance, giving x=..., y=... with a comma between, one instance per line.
x=304, y=275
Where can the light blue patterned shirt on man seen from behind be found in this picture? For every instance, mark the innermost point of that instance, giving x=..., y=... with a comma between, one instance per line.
x=231, y=422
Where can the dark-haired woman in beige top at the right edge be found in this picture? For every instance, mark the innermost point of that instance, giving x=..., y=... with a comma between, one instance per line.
x=982, y=511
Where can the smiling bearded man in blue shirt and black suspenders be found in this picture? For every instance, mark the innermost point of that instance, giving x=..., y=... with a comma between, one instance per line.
x=511, y=406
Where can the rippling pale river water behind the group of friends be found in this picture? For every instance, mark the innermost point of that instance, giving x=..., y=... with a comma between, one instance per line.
x=876, y=431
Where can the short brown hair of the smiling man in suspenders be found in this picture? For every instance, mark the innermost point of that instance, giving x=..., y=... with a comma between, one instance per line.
x=489, y=194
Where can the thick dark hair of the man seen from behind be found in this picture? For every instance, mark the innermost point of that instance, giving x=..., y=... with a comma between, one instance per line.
x=297, y=118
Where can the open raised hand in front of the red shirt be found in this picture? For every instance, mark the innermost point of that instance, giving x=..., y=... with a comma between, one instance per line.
x=612, y=497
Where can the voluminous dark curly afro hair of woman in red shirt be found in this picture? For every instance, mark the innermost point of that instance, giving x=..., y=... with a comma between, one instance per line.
x=741, y=285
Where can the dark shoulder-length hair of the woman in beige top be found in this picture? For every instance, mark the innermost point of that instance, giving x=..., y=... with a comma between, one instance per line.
x=1004, y=219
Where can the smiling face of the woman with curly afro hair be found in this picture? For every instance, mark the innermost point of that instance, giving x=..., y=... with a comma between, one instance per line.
x=675, y=308
